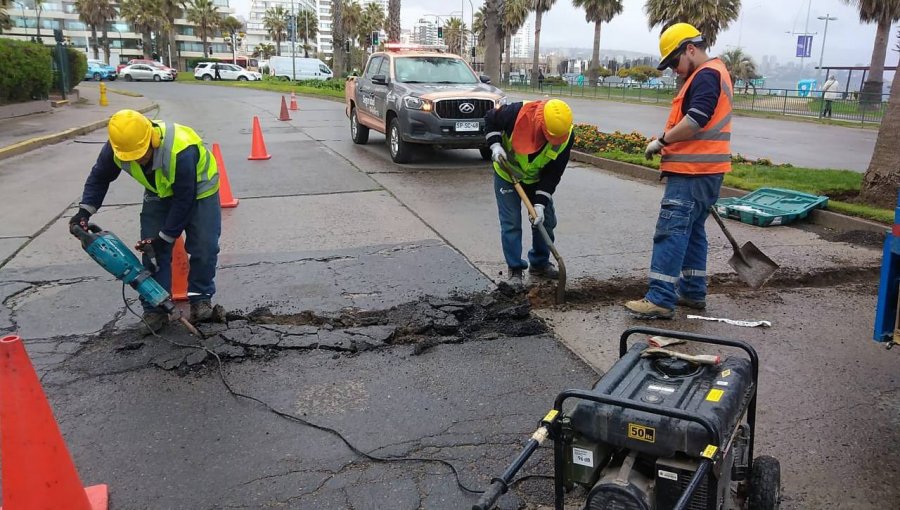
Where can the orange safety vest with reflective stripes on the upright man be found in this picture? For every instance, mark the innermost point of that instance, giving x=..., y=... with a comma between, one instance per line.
x=709, y=150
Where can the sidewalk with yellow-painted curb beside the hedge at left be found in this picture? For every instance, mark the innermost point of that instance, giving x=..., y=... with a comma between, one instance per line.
x=23, y=134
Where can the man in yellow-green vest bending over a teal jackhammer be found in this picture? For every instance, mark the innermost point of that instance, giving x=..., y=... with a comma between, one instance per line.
x=182, y=194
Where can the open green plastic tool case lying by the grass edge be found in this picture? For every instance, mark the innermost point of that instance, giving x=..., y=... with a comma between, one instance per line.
x=770, y=206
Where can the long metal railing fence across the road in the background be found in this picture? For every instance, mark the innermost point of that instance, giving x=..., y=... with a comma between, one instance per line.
x=785, y=102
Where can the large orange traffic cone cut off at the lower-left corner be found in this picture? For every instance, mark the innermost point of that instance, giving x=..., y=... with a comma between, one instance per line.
x=38, y=471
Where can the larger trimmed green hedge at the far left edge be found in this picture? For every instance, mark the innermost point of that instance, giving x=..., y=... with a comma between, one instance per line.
x=25, y=71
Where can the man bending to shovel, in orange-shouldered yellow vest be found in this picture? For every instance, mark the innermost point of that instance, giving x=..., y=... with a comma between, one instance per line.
x=535, y=137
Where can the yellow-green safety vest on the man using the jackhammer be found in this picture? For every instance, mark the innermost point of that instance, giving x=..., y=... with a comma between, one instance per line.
x=175, y=138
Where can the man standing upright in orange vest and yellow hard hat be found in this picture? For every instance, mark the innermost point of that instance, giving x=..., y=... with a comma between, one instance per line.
x=696, y=154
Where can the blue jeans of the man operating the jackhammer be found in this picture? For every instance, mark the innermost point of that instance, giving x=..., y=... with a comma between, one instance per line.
x=201, y=243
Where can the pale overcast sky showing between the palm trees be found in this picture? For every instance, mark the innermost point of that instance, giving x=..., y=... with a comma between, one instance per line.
x=760, y=30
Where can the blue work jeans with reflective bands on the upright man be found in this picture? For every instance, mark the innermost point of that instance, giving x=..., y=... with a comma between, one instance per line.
x=679, y=244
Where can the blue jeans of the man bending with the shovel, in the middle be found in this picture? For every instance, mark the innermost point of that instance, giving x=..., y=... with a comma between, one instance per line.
x=509, y=207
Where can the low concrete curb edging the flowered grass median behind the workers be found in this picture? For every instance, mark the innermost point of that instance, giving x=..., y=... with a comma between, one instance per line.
x=820, y=217
